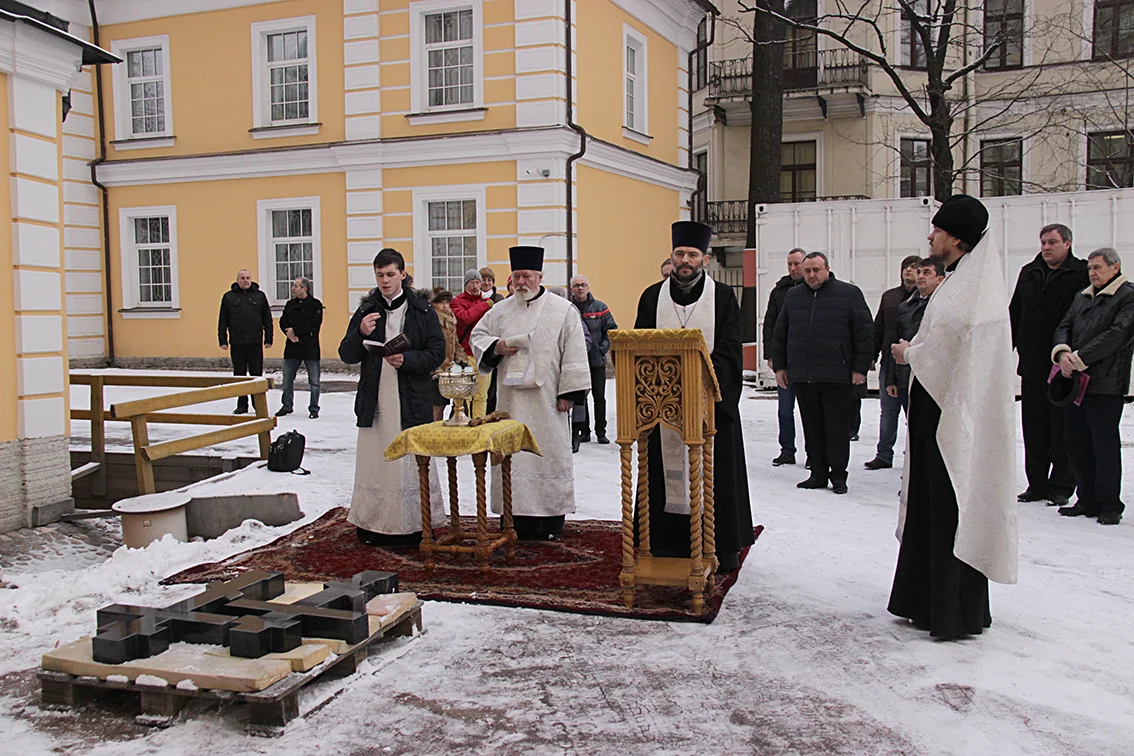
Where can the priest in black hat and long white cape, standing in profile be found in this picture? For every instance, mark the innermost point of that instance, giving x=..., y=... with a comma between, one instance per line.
x=958, y=516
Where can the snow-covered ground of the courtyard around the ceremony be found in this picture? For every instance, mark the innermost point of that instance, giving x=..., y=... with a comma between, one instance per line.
x=803, y=658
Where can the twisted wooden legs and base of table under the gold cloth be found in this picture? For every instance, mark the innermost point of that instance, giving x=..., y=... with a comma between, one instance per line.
x=453, y=542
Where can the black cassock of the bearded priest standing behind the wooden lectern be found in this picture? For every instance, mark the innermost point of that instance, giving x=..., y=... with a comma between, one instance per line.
x=670, y=534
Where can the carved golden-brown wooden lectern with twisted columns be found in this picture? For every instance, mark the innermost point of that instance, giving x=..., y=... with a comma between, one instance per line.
x=666, y=377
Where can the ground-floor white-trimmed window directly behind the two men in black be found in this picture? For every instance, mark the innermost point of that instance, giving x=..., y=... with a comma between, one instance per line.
x=290, y=247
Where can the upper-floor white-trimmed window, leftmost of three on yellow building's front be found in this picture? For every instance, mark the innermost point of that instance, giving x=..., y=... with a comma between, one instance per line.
x=142, y=92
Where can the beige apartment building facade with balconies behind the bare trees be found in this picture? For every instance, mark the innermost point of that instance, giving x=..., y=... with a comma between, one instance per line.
x=1047, y=112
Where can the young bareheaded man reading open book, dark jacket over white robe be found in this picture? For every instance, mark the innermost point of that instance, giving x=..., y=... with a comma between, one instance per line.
x=395, y=393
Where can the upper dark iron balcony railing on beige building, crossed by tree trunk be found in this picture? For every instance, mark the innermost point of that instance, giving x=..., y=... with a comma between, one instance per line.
x=803, y=70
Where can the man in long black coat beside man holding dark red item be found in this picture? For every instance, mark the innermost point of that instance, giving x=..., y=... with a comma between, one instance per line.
x=1045, y=291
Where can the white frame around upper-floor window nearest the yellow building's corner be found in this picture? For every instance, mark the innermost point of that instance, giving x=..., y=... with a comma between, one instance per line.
x=419, y=67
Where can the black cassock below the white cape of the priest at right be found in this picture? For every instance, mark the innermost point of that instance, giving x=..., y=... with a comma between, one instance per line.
x=932, y=587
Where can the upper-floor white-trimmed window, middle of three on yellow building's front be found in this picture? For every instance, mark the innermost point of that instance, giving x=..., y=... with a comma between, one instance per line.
x=285, y=73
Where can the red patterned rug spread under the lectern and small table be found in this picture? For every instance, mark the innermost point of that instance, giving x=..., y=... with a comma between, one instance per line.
x=579, y=574
